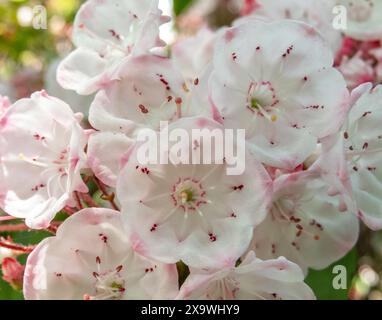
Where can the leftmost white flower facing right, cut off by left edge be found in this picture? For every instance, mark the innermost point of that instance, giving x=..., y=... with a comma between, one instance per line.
x=42, y=155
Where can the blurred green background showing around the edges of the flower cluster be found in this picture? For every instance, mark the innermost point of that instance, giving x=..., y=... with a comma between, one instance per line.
x=25, y=54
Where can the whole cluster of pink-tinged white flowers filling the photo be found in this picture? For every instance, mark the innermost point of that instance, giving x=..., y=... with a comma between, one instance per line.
x=308, y=98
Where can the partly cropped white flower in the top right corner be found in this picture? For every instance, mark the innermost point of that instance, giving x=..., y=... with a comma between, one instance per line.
x=363, y=17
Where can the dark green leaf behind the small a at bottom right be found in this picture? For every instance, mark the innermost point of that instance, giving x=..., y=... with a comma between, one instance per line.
x=322, y=281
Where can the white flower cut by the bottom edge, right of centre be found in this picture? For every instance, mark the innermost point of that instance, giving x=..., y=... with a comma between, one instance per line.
x=253, y=279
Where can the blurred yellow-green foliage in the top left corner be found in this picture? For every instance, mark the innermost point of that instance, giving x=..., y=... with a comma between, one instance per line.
x=21, y=45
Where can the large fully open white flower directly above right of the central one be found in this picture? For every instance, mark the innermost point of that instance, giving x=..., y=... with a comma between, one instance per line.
x=276, y=80
